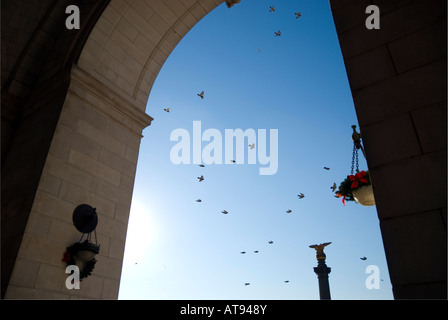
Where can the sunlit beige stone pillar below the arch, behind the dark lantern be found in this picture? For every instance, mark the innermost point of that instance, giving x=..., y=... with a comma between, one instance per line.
x=92, y=160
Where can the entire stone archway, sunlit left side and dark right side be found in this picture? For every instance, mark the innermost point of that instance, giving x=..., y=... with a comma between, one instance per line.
x=99, y=113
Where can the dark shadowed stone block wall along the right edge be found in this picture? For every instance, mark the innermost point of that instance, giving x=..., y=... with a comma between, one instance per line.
x=398, y=79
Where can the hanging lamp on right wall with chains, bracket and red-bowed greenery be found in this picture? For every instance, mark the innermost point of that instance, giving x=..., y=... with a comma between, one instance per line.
x=357, y=186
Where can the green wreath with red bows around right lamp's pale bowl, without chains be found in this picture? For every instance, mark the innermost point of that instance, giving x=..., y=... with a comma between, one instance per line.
x=357, y=188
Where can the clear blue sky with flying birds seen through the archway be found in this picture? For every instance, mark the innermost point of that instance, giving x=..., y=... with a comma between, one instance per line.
x=178, y=248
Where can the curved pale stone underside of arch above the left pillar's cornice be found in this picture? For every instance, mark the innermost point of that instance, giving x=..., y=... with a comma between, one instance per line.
x=135, y=38
